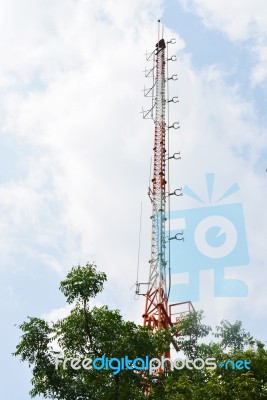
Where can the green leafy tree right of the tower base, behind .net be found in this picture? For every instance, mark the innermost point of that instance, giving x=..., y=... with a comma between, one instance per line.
x=241, y=363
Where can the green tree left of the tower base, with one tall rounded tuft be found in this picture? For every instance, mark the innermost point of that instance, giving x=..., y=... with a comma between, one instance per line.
x=87, y=332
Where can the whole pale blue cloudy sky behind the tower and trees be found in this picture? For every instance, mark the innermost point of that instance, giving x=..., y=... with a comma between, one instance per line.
x=75, y=151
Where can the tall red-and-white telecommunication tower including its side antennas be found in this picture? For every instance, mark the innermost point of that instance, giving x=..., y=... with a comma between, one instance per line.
x=158, y=313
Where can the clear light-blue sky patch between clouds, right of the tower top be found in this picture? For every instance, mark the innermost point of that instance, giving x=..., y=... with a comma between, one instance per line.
x=209, y=47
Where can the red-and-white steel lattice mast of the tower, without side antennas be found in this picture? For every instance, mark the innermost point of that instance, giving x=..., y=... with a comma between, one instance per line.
x=156, y=307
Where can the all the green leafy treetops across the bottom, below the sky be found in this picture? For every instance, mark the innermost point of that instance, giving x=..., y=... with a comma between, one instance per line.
x=99, y=331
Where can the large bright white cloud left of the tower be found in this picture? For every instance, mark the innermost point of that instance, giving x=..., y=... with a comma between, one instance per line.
x=72, y=95
